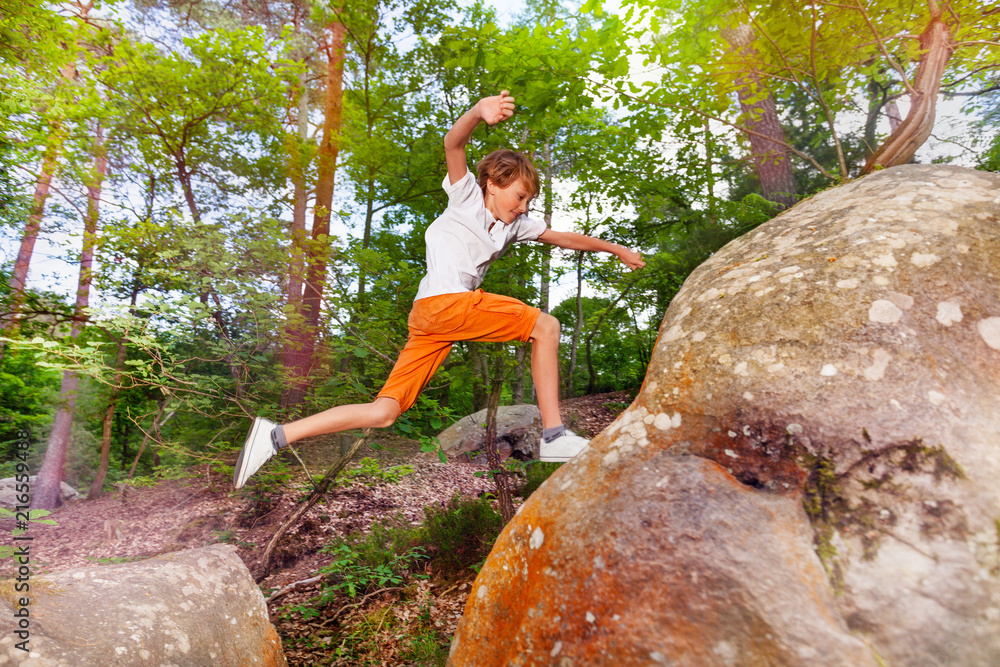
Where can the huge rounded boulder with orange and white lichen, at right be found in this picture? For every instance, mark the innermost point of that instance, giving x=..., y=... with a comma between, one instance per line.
x=809, y=474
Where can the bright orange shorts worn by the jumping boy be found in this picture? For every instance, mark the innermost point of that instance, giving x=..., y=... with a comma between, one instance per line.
x=438, y=321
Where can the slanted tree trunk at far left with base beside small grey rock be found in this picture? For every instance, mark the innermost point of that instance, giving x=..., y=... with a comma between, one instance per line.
x=49, y=481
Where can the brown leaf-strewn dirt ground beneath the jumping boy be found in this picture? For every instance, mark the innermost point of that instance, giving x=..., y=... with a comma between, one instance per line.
x=202, y=509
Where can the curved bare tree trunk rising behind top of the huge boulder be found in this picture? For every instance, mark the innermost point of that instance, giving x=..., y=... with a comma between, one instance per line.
x=937, y=46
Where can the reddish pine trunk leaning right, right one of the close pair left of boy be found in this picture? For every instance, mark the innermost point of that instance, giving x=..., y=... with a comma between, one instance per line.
x=312, y=298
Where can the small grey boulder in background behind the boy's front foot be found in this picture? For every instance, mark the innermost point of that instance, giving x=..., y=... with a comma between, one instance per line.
x=519, y=429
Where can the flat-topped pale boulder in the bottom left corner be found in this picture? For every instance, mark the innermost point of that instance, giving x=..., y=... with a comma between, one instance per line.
x=195, y=607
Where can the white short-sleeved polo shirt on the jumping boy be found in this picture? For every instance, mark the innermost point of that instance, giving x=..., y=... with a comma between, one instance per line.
x=460, y=244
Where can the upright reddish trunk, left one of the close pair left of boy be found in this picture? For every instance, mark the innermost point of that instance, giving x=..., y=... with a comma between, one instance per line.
x=295, y=358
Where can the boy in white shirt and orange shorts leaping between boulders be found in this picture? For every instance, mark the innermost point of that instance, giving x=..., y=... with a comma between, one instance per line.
x=450, y=307
